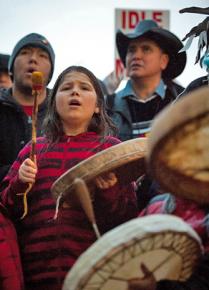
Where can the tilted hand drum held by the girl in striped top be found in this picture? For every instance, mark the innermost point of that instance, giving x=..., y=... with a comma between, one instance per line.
x=126, y=160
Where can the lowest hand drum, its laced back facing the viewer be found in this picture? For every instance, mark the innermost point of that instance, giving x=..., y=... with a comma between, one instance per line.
x=167, y=245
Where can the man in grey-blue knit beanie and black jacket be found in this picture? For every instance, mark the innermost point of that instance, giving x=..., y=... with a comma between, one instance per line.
x=32, y=53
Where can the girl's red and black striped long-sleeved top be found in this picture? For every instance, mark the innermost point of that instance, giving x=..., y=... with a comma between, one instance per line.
x=50, y=247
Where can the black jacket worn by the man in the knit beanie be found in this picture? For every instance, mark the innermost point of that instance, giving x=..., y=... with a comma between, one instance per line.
x=15, y=128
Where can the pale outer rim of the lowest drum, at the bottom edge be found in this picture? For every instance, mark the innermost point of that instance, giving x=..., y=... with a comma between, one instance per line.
x=150, y=221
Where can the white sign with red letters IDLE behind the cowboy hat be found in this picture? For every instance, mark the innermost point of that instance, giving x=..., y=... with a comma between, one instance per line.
x=127, y=19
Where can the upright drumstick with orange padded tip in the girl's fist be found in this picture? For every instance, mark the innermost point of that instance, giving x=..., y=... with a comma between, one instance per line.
x=37, y=86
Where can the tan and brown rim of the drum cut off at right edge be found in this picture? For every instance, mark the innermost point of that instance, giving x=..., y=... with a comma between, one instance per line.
x=174, y=118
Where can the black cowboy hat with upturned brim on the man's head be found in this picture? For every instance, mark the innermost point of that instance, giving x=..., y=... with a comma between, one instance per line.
x=166, y=40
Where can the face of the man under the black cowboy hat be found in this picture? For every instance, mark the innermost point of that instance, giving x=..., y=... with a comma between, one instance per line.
x=145, y=59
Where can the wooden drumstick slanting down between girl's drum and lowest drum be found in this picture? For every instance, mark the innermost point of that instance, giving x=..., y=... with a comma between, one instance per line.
x=83, y=195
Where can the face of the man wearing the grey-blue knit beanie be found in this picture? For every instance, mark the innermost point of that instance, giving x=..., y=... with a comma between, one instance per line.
x=28, y=60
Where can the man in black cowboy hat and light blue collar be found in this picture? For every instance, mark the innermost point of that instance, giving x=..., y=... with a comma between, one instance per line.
x=150, y=56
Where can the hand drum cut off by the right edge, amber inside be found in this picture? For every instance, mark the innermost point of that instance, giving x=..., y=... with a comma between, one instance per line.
x=178, y=145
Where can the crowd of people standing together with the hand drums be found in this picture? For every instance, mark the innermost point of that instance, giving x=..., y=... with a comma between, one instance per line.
x=78, y=118
